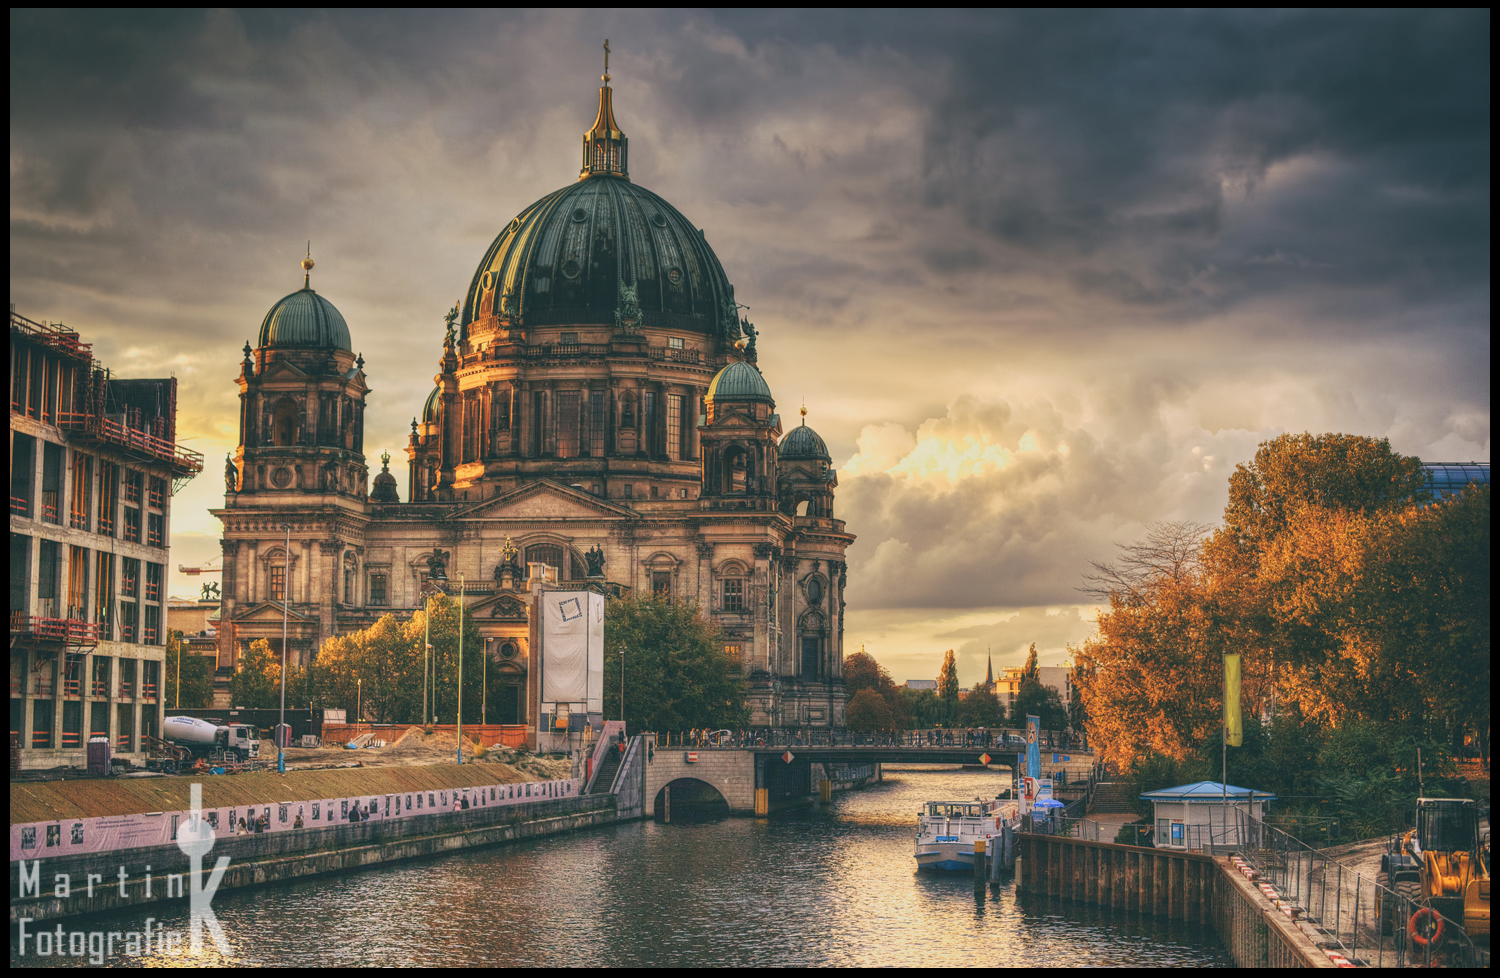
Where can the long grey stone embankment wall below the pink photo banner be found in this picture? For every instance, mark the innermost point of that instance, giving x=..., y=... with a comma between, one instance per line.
x=53, y=889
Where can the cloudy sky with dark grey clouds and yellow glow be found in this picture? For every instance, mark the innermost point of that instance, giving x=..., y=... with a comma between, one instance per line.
x=1042, y=278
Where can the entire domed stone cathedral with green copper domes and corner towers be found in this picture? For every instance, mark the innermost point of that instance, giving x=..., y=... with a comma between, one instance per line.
x=598, y=410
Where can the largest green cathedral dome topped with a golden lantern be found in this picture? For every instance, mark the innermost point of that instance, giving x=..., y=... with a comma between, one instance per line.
x=575, y=257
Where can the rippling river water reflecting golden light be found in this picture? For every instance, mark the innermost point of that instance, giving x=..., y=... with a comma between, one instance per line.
x=832, y=887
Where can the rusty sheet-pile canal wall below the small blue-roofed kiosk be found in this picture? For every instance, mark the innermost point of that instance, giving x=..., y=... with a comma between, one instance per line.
x=1178, y=886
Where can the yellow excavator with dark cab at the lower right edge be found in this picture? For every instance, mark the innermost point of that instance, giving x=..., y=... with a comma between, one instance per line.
x=1444, y=866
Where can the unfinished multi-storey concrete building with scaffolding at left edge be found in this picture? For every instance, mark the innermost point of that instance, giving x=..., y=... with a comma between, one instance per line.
x=94, y=469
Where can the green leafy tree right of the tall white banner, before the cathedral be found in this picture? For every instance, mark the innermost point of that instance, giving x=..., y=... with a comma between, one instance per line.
x=677, y=674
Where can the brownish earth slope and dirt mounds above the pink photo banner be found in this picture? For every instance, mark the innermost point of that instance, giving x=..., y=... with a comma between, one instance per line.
x=418, y=761
